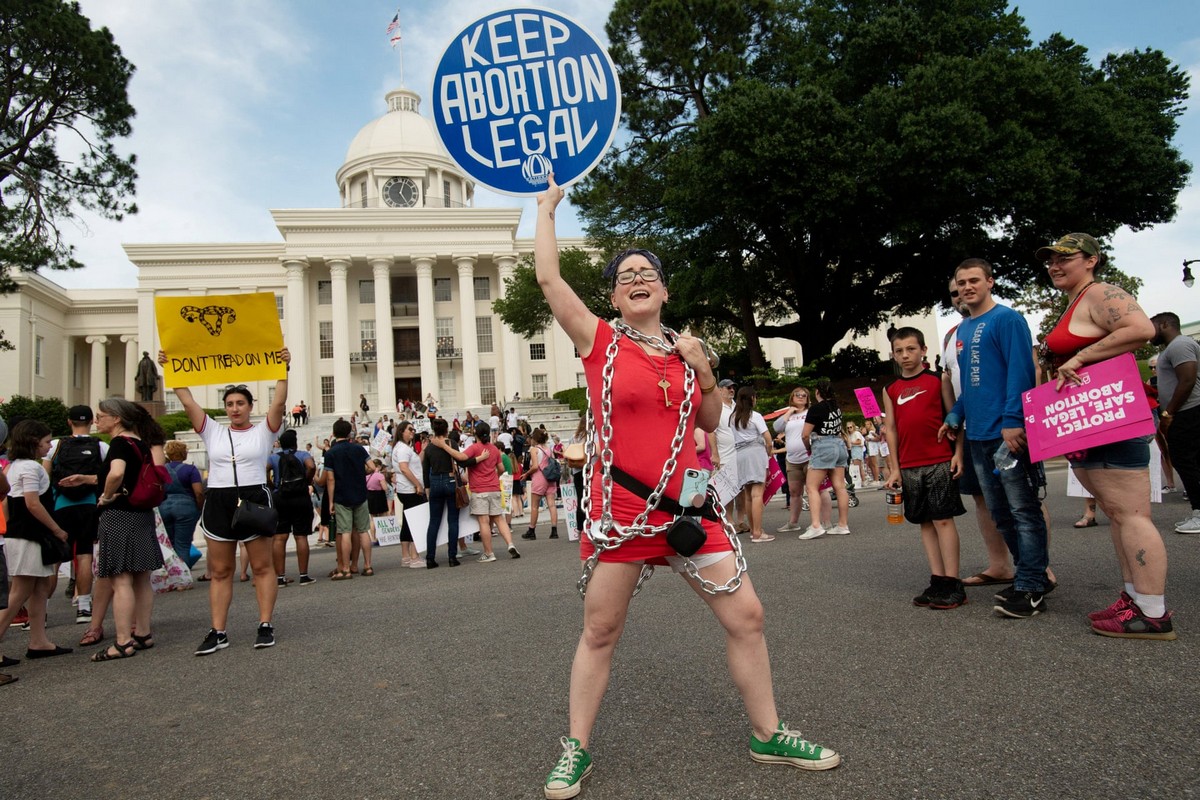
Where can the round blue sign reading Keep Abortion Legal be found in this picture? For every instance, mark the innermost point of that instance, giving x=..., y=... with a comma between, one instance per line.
x=524, y=92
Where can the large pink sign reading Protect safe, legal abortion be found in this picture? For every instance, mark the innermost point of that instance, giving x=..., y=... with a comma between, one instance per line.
x=1109, y=406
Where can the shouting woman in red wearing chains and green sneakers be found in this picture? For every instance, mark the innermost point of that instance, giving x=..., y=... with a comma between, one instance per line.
x=643, y=447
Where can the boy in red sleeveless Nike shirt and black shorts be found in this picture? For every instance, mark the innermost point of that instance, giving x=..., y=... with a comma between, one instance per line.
x=925, y=467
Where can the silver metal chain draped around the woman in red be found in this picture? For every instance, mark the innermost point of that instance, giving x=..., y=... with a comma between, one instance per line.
x=602, y=536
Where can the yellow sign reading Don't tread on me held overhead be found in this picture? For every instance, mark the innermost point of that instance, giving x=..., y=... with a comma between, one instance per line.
x=220, y=339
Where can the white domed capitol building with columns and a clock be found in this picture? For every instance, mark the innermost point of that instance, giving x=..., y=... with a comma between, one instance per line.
x=389, y=296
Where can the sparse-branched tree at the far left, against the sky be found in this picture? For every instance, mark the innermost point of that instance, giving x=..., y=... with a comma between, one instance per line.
x=64, y=93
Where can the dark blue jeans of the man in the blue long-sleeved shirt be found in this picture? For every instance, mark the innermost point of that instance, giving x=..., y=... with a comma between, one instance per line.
x=1012, y=498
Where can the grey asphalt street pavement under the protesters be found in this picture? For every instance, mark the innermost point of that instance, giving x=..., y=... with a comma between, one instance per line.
x=453, y=683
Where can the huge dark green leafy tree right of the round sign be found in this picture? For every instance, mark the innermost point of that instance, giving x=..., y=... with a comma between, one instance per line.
x=811, y=169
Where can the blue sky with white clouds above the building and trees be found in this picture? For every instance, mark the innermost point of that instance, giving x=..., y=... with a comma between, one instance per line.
x=245, y=107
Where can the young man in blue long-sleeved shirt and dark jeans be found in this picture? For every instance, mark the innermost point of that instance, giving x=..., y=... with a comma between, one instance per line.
x=995, y=364
